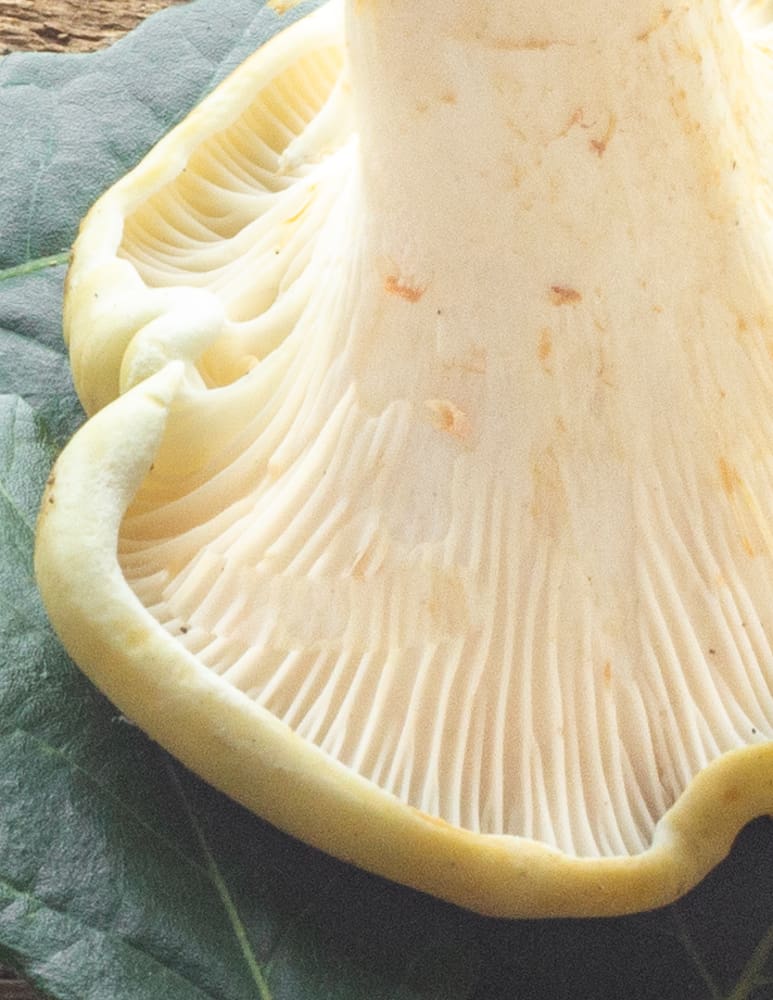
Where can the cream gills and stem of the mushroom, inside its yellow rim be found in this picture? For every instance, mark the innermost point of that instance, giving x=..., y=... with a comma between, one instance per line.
x=507, y=482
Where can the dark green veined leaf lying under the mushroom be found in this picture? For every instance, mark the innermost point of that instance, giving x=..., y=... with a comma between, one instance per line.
x=122, y=877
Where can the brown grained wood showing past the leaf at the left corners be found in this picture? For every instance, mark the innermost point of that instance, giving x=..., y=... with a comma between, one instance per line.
x=64, y=26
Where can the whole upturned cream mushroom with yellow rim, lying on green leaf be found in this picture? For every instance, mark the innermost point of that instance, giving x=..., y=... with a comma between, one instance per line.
x=428, y=510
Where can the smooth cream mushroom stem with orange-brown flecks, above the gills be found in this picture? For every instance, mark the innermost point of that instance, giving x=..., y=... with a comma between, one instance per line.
x=540, y=181
